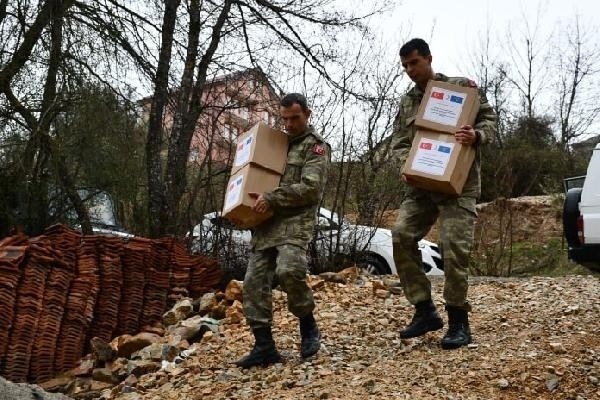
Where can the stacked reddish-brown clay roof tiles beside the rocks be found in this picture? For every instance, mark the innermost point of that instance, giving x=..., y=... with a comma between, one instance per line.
x=60, y=289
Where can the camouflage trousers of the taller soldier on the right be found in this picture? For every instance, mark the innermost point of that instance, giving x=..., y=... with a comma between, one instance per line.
x=418, y=213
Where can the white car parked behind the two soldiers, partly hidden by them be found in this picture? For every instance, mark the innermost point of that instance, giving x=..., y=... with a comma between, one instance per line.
x=335, y=246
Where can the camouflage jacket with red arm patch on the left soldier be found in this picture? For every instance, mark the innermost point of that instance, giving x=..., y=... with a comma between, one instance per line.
x=295, y=201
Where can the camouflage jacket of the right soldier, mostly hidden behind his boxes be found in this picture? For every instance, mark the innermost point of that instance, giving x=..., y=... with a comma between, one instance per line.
x=404, y=130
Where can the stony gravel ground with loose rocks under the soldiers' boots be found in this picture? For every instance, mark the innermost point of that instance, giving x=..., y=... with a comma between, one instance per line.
x=533, y=338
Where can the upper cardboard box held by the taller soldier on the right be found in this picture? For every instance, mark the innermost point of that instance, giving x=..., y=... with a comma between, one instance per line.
x=446, y=107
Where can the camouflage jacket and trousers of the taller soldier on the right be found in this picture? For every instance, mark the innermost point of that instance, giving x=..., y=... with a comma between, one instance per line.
x=420, y=209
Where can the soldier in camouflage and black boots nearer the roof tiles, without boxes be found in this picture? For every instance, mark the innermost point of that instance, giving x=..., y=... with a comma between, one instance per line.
x=279, y=244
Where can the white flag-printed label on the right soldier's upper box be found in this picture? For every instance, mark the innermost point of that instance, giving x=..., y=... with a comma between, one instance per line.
x=444, y=106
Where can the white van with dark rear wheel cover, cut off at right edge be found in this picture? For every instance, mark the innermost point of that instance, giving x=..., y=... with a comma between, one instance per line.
x=581, y=216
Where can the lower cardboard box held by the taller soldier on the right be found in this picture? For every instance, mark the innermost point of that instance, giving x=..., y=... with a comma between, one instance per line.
x=437, y=162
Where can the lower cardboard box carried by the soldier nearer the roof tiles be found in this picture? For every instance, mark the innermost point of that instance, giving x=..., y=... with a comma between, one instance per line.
x=237, y=206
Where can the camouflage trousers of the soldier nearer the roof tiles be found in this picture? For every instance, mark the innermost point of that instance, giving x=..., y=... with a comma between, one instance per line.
x=288, y=262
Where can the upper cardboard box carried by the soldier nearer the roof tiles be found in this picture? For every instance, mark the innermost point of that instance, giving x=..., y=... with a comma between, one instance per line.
x=261, y=145
